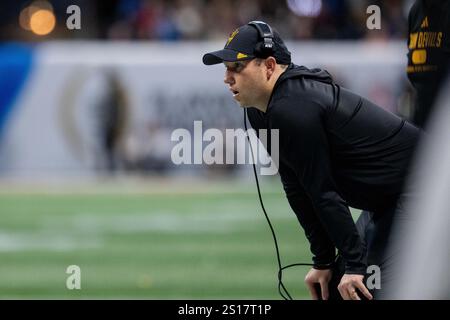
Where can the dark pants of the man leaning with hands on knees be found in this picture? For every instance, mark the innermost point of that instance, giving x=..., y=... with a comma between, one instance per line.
x=375, y=231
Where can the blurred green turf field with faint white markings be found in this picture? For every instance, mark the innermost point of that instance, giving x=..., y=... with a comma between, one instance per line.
x=187, y=242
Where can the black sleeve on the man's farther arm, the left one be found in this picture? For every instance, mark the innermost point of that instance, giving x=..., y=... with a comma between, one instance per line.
x=321, y=246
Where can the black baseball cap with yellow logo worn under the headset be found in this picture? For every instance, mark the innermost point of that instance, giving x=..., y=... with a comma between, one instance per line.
x=242, y=45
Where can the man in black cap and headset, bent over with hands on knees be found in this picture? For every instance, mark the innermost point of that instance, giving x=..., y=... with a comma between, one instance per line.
x=337, y=149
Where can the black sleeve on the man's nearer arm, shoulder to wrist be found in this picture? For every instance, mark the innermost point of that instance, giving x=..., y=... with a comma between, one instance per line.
x=304, y=144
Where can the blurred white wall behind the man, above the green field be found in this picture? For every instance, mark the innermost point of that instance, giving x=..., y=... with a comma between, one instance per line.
x=53, y=127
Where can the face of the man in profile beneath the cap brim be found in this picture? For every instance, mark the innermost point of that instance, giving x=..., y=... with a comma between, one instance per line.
x=246, y=81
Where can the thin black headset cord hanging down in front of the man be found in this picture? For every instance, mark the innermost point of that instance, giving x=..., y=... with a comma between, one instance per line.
x=281, y=286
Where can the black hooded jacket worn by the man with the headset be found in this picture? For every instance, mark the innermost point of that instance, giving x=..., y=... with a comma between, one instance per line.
x=337, y=149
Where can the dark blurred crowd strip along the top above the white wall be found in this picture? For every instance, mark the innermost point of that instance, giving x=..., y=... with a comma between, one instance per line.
x=172, y=20
